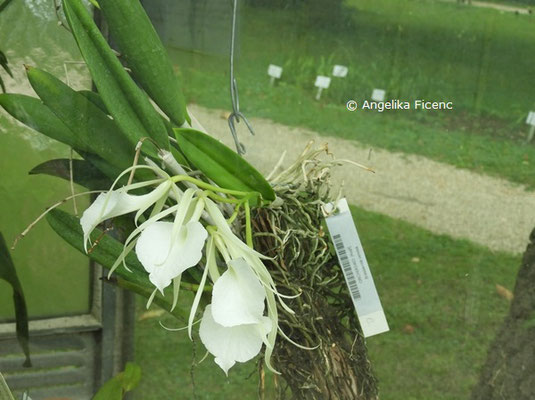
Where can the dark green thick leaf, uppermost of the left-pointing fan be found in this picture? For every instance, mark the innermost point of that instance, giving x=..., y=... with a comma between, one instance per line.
x=92, y=129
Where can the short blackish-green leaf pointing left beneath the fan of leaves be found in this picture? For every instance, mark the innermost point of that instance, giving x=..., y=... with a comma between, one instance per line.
x=83, y=172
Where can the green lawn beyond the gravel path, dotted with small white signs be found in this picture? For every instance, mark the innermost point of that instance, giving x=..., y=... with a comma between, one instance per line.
x=480, y=59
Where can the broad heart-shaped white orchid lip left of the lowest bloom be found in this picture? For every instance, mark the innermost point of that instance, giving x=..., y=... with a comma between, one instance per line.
x=165, y=259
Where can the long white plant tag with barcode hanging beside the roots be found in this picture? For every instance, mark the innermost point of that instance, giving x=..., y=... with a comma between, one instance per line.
x=355, y=268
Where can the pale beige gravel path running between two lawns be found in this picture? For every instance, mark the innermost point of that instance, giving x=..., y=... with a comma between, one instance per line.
x=489, y=211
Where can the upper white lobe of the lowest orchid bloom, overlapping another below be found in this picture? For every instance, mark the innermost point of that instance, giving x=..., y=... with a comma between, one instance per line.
x=238, y=296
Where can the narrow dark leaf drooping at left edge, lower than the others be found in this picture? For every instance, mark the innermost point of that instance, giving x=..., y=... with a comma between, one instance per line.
x=8, y=273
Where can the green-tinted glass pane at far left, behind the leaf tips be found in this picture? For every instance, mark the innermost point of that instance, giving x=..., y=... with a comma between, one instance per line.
x=54, y=276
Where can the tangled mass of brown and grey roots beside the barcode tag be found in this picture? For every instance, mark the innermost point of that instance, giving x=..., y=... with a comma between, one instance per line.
x=303, y=262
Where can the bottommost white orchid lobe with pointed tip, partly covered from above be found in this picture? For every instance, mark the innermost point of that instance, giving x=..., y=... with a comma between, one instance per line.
x=230, y=344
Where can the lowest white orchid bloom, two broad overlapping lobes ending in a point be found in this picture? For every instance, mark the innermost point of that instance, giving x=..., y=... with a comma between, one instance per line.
x=233, y=327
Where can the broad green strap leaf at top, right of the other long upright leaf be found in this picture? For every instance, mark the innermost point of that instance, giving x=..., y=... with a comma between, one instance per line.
x=145, y=55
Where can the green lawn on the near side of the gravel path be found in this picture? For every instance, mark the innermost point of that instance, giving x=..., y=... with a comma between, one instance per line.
x=448, y=297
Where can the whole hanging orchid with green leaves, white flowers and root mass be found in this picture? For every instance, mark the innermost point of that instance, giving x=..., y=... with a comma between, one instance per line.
x=194, y=214
